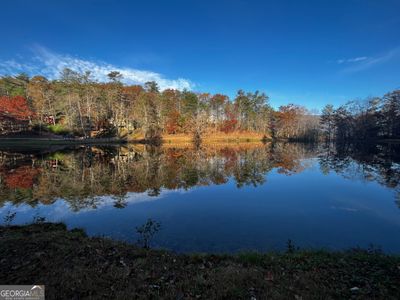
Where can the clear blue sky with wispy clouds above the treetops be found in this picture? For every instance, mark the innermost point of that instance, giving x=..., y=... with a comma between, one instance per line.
x=305, y=52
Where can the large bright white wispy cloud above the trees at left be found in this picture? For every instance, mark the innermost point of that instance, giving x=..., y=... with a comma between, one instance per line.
x=50, y=64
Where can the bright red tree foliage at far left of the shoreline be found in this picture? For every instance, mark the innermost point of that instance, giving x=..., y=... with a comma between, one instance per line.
x=16, y=108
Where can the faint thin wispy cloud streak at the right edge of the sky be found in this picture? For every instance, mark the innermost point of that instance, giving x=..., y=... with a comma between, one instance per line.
x=362, y=63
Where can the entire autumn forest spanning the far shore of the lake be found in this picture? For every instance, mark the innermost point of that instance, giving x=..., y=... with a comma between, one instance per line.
x=75, y=105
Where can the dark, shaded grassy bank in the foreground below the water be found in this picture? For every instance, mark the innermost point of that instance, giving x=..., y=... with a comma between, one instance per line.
x=73, y=266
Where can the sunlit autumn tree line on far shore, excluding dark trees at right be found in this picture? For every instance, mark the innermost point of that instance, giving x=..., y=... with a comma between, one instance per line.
x=76, y=104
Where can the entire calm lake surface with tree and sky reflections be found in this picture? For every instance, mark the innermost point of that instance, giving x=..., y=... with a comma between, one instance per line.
x=216, y=199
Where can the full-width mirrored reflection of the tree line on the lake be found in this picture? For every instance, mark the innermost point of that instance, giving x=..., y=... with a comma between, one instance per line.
x=81, y=176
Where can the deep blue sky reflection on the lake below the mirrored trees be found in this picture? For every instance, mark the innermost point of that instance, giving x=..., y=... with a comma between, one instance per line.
x=312, y=209
